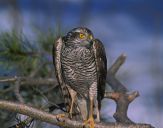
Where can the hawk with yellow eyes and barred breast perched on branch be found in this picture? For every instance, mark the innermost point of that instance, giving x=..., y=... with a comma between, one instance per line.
x=81, y=67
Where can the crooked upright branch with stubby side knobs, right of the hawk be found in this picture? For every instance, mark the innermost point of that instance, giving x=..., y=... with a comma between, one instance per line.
x=119, y=95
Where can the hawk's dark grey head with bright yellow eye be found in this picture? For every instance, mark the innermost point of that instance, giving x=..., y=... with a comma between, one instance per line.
x=80, y=36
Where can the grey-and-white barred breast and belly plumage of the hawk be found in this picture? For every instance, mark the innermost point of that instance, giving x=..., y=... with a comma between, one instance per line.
x=79, y=68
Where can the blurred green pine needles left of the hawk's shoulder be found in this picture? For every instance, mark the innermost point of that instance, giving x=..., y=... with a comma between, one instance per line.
x=23, y=55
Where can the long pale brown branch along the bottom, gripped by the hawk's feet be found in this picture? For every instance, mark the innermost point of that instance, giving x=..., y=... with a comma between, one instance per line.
x=56, y=120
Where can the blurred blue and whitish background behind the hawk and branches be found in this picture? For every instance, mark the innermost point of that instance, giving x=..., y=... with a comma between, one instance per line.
x=133, y=27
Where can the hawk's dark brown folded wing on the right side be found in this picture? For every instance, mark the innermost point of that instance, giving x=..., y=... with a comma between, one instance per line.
x=101, y=64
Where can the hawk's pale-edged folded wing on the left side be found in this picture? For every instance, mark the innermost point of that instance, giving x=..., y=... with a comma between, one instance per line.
x=57, y=49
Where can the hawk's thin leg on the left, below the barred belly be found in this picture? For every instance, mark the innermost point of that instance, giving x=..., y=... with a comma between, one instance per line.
x=73, y=97
